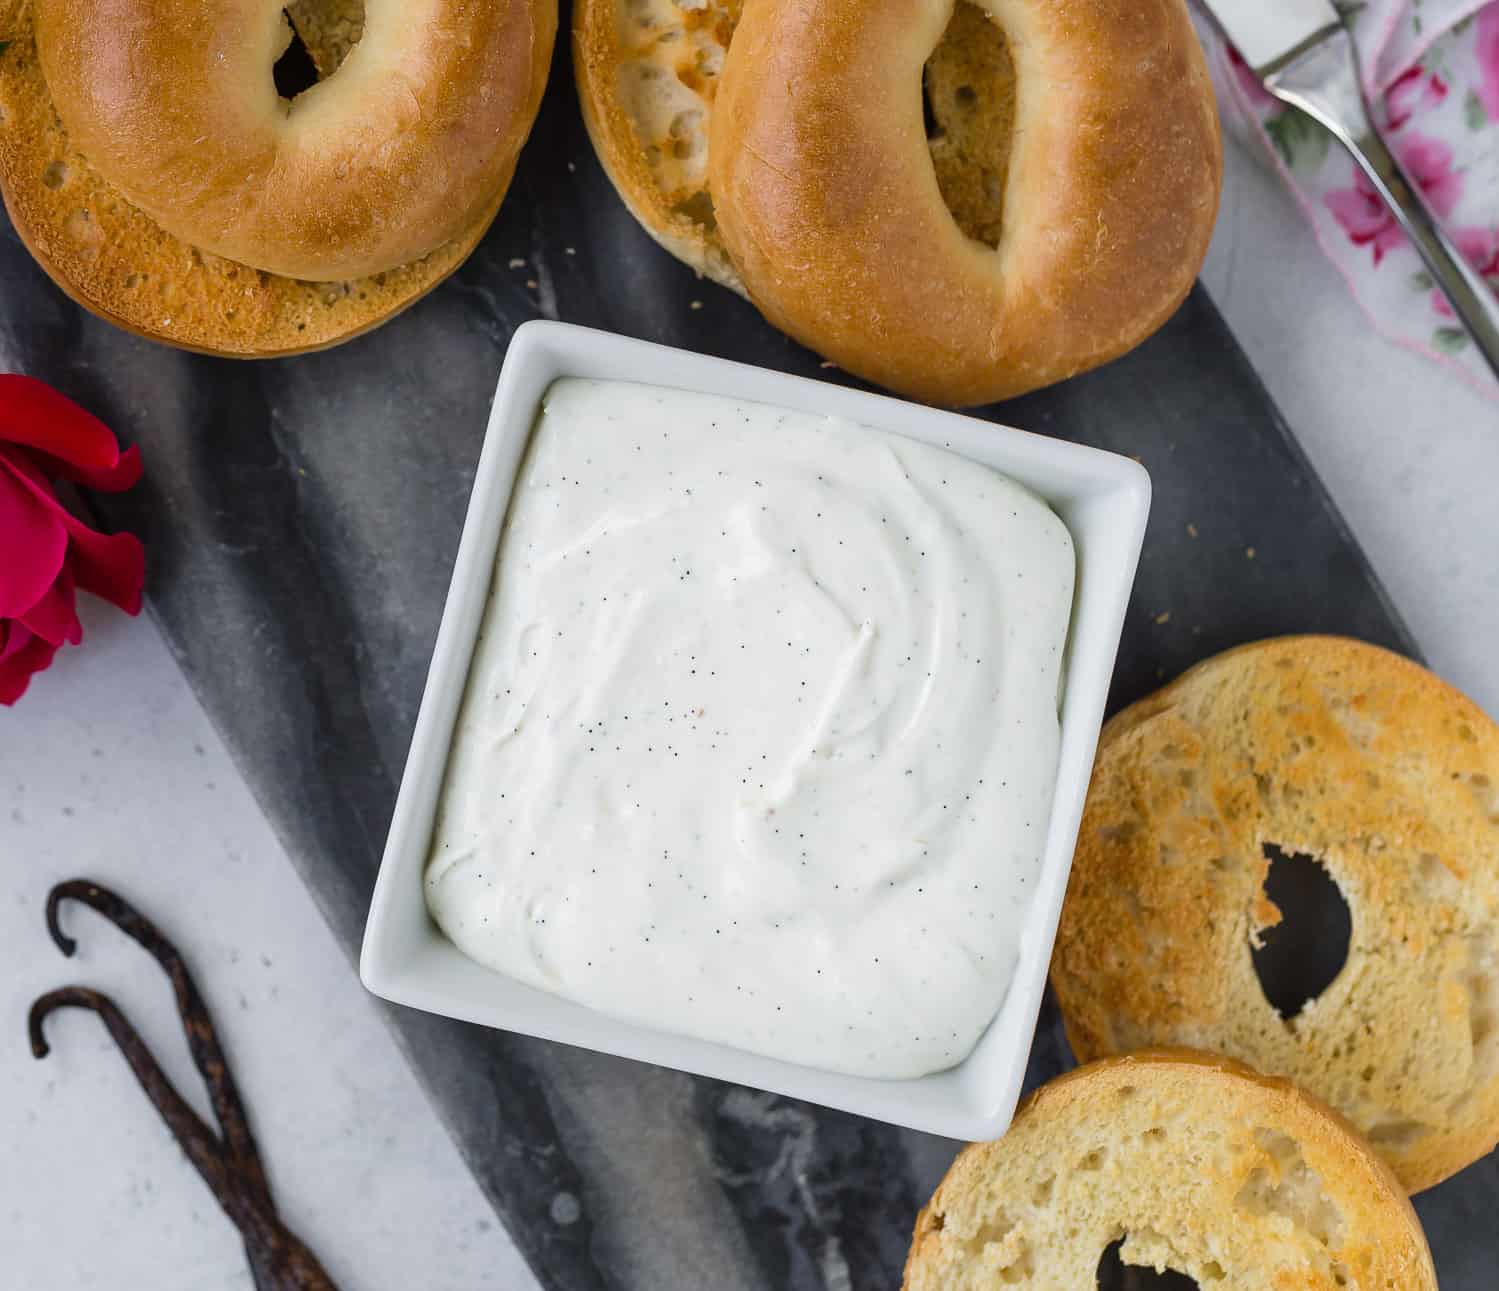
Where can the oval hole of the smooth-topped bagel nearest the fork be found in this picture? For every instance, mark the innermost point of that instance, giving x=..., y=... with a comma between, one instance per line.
x=969, y=104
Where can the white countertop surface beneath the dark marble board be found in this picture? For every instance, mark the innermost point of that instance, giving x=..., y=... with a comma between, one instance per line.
x=110, y=768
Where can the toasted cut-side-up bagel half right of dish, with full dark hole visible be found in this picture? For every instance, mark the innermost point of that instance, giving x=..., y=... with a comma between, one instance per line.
x=1372, y=767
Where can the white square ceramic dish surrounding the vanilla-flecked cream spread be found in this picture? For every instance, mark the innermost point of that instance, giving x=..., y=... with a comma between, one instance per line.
x=1103, y=499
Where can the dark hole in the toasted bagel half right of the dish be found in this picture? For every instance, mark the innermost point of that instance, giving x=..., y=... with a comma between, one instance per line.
x=1302, y=956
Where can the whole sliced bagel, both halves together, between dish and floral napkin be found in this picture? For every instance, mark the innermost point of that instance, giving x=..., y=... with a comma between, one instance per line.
x=1053, y=215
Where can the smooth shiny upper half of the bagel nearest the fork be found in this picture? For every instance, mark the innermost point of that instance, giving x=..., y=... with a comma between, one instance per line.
x=828, y=203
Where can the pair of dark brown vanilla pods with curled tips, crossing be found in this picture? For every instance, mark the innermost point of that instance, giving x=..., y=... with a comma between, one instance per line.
x=232, y=1167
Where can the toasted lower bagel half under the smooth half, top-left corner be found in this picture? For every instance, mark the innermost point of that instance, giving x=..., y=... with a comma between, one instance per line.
x=118, y=262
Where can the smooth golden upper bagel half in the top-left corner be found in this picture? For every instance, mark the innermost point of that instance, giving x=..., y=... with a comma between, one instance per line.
x=410, y=145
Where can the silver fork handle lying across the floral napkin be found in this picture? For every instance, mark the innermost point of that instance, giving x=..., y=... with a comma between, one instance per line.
x=1324, y=83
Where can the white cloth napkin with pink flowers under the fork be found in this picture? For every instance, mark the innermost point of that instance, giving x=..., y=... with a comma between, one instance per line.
x=1432, y=74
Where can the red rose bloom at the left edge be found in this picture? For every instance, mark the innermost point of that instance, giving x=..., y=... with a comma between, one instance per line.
x=46, y=551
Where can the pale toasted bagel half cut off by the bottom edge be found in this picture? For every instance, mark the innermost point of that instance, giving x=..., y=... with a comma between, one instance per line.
x=1198, y=1164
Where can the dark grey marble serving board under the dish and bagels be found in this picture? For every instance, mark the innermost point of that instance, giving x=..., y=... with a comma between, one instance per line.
x=302, y=518
